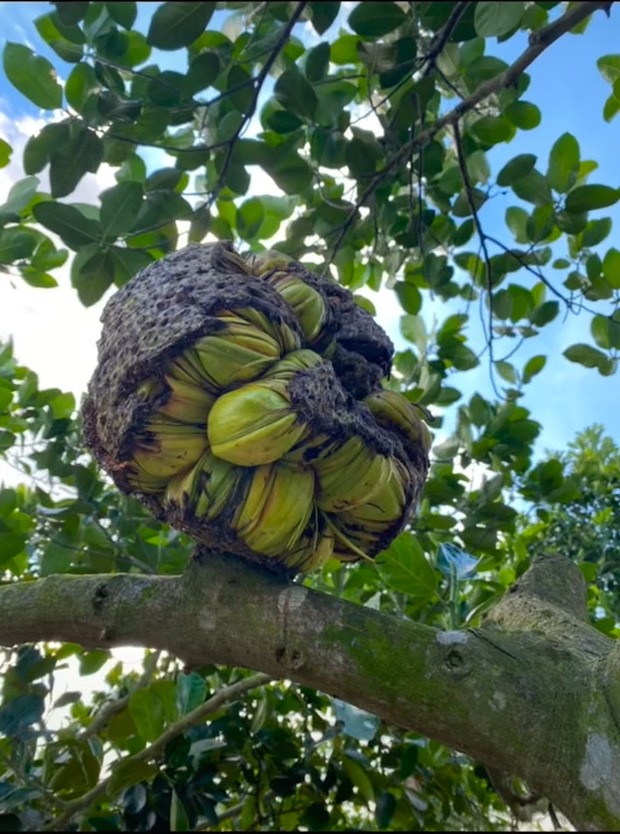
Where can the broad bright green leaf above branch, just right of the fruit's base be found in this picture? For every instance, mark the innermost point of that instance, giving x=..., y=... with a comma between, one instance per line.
x=405, y=569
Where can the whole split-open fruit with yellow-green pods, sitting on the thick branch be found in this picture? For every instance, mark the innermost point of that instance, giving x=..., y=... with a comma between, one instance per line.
x=241, y=400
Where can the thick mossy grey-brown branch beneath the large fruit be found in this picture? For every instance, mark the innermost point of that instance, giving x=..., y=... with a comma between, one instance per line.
x=534, y=692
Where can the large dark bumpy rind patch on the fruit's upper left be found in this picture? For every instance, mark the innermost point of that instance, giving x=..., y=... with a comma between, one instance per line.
x=163, y=310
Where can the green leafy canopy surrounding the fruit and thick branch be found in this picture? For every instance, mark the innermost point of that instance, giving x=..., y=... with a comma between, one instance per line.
x=357, y=138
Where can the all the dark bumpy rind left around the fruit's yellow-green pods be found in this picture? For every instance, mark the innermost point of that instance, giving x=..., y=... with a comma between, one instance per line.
x=166, y=307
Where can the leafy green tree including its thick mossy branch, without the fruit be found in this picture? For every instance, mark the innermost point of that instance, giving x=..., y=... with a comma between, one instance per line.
x=374, y=128
